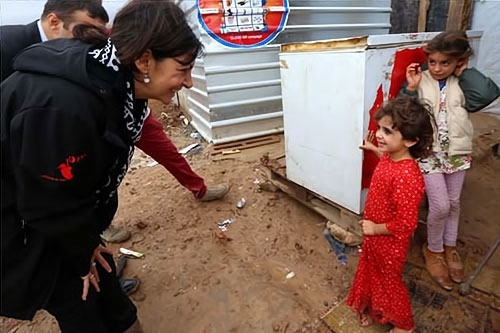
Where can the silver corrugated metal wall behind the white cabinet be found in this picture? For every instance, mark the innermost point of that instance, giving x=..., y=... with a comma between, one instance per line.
x=237, y=93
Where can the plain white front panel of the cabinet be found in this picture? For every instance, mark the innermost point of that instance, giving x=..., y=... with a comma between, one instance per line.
x=323, y=104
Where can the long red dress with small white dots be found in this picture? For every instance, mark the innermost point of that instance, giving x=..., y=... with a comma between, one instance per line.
x=396, y=191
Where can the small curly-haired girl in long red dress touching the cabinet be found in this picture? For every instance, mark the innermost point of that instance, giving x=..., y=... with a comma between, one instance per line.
x=405, y=133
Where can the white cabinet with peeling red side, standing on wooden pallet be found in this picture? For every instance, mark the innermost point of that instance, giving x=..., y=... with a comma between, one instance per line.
x=330, y=89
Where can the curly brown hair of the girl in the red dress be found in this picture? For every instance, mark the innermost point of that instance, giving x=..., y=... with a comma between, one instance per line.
x=413, y=120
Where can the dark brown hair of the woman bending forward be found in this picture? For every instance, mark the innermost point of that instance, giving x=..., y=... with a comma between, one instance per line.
x=156, y=25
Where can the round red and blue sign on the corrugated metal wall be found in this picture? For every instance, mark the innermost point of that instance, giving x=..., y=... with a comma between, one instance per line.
x=243, y=23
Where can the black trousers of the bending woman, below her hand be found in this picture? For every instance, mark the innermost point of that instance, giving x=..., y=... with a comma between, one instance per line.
x=108, y=311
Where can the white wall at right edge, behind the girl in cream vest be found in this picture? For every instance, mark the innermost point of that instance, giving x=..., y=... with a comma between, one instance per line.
x=486, y=17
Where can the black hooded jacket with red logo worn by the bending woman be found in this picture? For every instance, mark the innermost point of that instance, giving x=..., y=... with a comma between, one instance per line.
x=61, y=132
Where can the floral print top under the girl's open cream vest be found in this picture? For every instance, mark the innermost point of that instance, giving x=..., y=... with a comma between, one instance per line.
x=441, y=162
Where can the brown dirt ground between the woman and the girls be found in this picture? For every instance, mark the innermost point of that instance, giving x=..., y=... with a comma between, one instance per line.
x=194, y=282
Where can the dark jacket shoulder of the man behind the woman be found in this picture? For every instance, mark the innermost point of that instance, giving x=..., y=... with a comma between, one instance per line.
x=13, y=39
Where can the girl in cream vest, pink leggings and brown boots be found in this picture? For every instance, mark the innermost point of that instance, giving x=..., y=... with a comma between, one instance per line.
x=452, y=90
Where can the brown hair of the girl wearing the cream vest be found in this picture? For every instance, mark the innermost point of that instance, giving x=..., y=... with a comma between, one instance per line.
x=452, y=43
